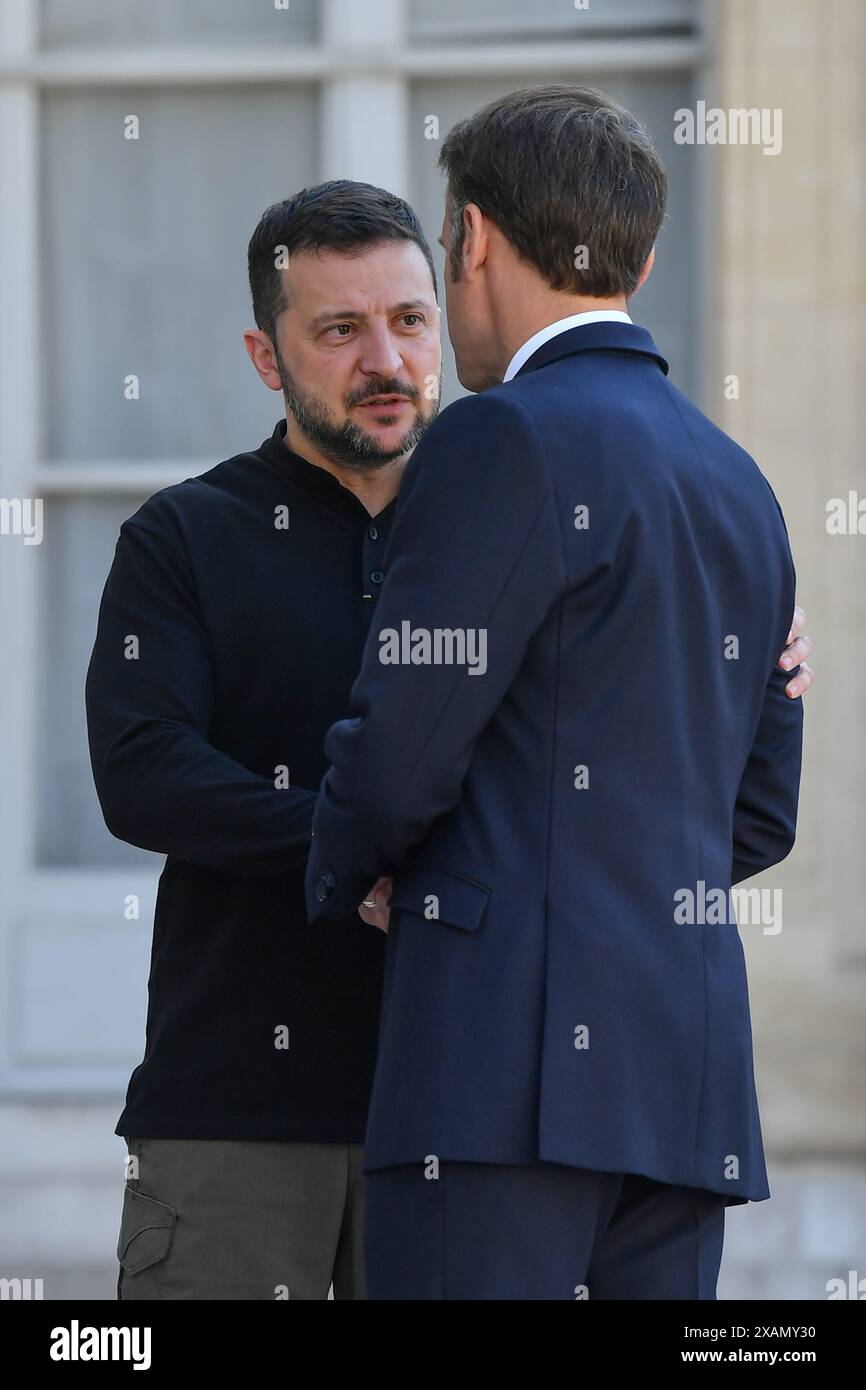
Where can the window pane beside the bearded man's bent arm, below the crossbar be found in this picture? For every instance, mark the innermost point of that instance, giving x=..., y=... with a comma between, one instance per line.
x=77, y=551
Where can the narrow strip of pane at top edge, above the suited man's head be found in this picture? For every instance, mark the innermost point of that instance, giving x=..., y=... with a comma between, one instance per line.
x=504, y=19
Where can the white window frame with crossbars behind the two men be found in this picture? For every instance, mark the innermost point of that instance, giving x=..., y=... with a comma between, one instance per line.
x=363, y=66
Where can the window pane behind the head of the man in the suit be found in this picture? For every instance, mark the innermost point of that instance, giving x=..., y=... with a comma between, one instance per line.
x=668, y=304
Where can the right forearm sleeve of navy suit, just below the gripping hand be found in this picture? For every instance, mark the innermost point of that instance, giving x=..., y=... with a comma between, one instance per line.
x=765, y=814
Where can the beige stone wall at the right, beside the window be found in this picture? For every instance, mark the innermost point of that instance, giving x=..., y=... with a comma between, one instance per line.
x=793, y=327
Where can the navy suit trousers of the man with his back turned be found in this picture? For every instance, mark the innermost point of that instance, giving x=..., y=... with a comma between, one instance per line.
x=539, y=1231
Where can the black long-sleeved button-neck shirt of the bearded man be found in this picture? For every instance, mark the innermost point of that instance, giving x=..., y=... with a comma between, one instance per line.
x=230, y=635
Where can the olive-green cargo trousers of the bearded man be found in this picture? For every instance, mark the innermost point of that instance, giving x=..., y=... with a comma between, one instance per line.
x=241, y=1220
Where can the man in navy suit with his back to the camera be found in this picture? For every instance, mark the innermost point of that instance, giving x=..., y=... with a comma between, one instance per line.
x=568, y=729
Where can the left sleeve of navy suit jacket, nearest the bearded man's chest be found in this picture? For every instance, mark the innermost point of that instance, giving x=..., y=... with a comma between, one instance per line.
x=476, y=551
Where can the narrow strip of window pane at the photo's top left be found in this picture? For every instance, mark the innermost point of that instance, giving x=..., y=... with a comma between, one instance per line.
x=202, y=23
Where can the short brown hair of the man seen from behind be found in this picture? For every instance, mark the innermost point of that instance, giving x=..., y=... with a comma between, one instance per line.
x=559, y=167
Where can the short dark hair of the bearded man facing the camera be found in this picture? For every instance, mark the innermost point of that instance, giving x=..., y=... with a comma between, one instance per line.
x=340, y=216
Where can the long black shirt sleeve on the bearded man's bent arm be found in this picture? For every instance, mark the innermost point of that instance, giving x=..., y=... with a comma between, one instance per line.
x=162, y=785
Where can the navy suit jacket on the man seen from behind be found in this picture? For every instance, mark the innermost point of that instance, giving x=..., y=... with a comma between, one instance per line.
x=625, y=742
